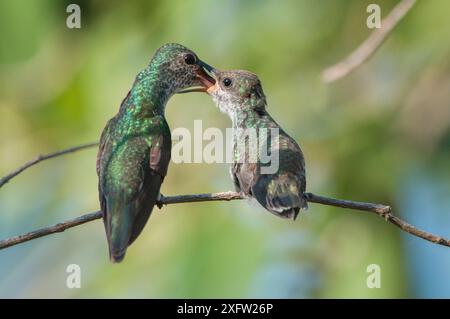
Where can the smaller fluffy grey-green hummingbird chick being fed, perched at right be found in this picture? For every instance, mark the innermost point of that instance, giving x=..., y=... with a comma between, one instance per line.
x=239, y=94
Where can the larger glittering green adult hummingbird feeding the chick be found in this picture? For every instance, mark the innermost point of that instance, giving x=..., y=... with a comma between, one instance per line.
x=135, y=146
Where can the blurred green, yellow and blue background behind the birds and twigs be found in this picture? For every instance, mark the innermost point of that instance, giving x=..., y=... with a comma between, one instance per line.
x=380, y=135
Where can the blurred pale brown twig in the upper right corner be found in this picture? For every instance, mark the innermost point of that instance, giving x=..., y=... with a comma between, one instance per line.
x=369, y=46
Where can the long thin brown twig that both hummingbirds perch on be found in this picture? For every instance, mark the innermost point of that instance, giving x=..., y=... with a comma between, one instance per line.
x=379, y=209
